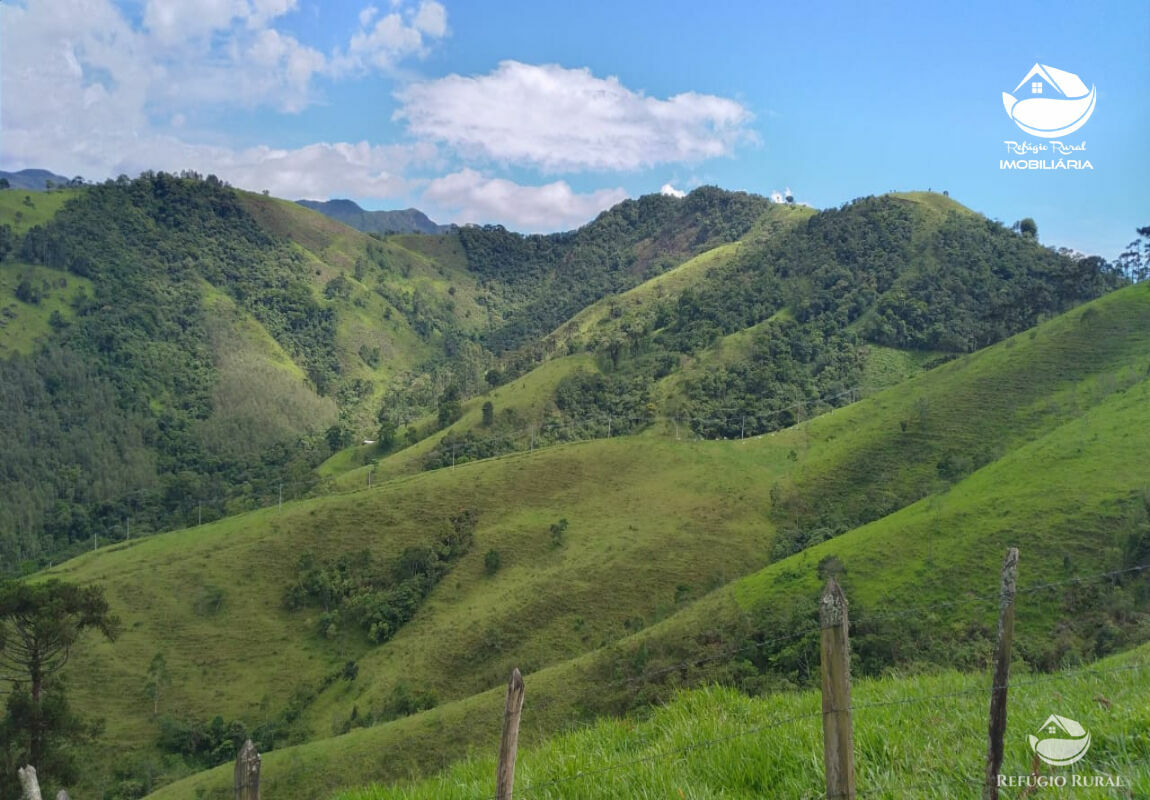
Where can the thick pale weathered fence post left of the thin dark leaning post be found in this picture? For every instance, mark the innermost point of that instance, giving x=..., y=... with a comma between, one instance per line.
x=838, y=740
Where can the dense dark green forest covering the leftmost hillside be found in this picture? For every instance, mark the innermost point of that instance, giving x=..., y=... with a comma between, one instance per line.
x=121, y=399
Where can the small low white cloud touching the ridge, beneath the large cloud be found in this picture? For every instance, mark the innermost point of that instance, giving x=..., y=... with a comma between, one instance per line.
x=472, y=197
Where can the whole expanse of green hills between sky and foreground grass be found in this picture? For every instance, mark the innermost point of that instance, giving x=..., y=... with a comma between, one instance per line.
x=622, y=457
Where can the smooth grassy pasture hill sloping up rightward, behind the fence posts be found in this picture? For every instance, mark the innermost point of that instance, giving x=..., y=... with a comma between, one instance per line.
x=641, y=579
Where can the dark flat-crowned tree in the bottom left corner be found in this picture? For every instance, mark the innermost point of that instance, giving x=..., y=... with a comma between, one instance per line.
x=40, y=625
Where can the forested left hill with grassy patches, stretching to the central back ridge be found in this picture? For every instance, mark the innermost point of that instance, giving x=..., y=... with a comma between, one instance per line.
x=231, y=342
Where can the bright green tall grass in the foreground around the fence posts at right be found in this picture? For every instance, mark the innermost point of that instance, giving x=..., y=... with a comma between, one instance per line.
x=916, y=736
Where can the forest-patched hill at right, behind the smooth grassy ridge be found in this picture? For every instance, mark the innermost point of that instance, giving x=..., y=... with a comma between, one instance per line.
x=806, y=312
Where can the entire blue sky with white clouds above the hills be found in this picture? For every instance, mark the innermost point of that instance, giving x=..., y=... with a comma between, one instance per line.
x=539, y=116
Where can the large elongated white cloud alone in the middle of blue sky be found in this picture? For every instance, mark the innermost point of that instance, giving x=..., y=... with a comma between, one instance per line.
x=563, y=120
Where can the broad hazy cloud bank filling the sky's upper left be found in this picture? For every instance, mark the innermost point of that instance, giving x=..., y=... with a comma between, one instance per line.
x=89, y=93
